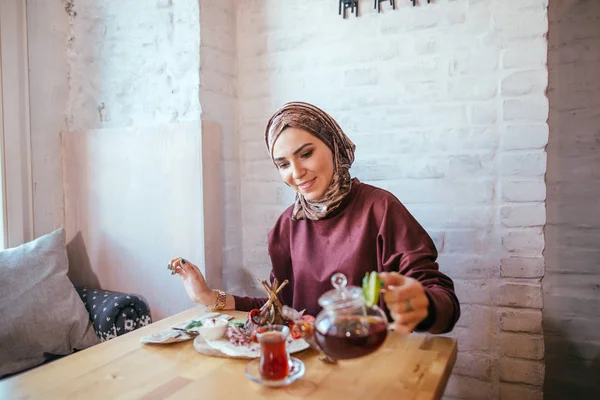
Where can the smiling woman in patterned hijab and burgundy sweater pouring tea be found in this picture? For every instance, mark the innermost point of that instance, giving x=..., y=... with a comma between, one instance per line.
x=338, y=224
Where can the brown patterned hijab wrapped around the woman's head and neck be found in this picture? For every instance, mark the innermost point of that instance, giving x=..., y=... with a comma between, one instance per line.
x=320, y=124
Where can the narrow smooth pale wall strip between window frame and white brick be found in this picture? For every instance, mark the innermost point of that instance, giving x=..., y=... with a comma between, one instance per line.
x=47, y=26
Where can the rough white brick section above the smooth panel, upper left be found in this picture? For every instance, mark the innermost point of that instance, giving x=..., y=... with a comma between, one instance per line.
x=132, y=64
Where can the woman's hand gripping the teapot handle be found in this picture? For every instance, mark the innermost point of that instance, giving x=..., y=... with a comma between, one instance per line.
x=405, y=298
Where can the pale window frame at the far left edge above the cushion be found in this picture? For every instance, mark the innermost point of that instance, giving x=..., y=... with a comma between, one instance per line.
x=15, y=167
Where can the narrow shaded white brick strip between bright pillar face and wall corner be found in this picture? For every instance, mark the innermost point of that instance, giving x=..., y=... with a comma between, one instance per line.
x=218, y=98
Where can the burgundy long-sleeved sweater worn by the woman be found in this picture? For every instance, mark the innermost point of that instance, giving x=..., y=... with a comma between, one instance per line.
x=371, y=230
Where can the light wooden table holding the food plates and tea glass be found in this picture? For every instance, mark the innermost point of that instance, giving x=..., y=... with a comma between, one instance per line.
x=413, y=367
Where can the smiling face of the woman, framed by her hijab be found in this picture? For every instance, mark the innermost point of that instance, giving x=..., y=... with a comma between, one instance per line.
x=304, y=162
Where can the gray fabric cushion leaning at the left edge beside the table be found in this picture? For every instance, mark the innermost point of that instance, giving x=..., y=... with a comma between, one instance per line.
x=41, y=314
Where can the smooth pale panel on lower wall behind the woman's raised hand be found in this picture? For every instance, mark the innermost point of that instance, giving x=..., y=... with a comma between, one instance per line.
x=134, y=200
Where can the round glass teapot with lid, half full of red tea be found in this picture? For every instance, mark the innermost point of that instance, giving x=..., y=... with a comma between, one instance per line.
x=346, y=327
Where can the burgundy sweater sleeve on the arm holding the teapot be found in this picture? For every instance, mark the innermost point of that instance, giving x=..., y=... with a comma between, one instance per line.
x=405, y=247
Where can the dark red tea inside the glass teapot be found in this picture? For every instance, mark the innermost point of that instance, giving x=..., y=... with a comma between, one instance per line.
x=351, y=337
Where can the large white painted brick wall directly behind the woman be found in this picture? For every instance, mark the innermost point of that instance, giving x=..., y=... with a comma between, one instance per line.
x=454, y=93
